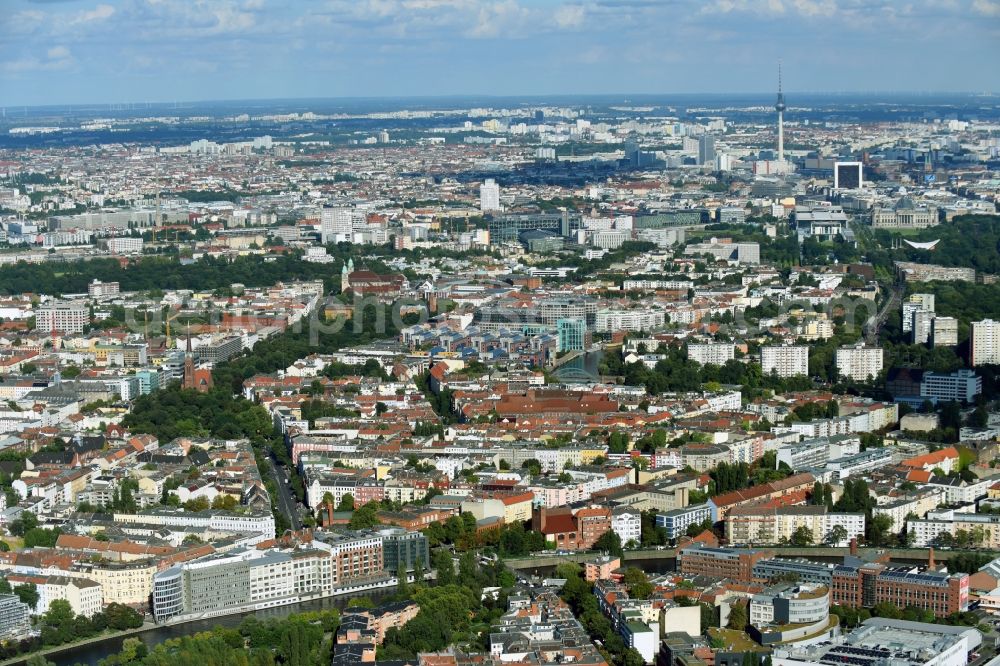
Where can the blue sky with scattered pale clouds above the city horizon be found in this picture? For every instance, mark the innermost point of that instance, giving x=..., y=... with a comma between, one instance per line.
x=103, y=51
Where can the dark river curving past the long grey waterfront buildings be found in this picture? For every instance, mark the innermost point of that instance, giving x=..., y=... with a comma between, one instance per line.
x=92, y=653
